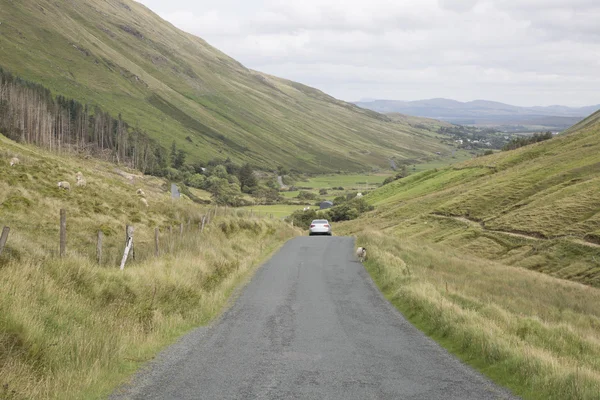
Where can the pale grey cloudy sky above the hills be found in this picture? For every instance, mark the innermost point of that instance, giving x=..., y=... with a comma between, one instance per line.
x=522, y=52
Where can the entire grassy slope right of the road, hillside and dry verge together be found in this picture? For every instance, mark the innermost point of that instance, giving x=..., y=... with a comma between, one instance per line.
x=443, y=246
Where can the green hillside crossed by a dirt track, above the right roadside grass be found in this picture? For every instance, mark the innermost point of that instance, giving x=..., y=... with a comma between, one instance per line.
x=536, y=207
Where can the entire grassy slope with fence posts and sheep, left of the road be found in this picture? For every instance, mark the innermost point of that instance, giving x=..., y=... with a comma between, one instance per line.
x=71, y=329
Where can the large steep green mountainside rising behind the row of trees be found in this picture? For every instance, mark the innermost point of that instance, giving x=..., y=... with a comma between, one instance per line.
x=121, y=56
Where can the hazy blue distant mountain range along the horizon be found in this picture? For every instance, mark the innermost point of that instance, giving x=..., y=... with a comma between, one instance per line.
x=483, y=112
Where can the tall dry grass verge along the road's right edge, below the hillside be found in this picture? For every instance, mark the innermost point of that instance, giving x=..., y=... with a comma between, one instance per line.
x=534, y=333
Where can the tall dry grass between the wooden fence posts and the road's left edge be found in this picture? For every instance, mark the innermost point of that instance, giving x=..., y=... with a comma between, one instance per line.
x=71, y=329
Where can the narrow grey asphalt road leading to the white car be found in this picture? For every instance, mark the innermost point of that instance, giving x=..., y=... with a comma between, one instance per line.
x=310, y=325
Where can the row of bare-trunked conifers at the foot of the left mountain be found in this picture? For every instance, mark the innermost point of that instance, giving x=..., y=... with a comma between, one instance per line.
x=30, y=114
